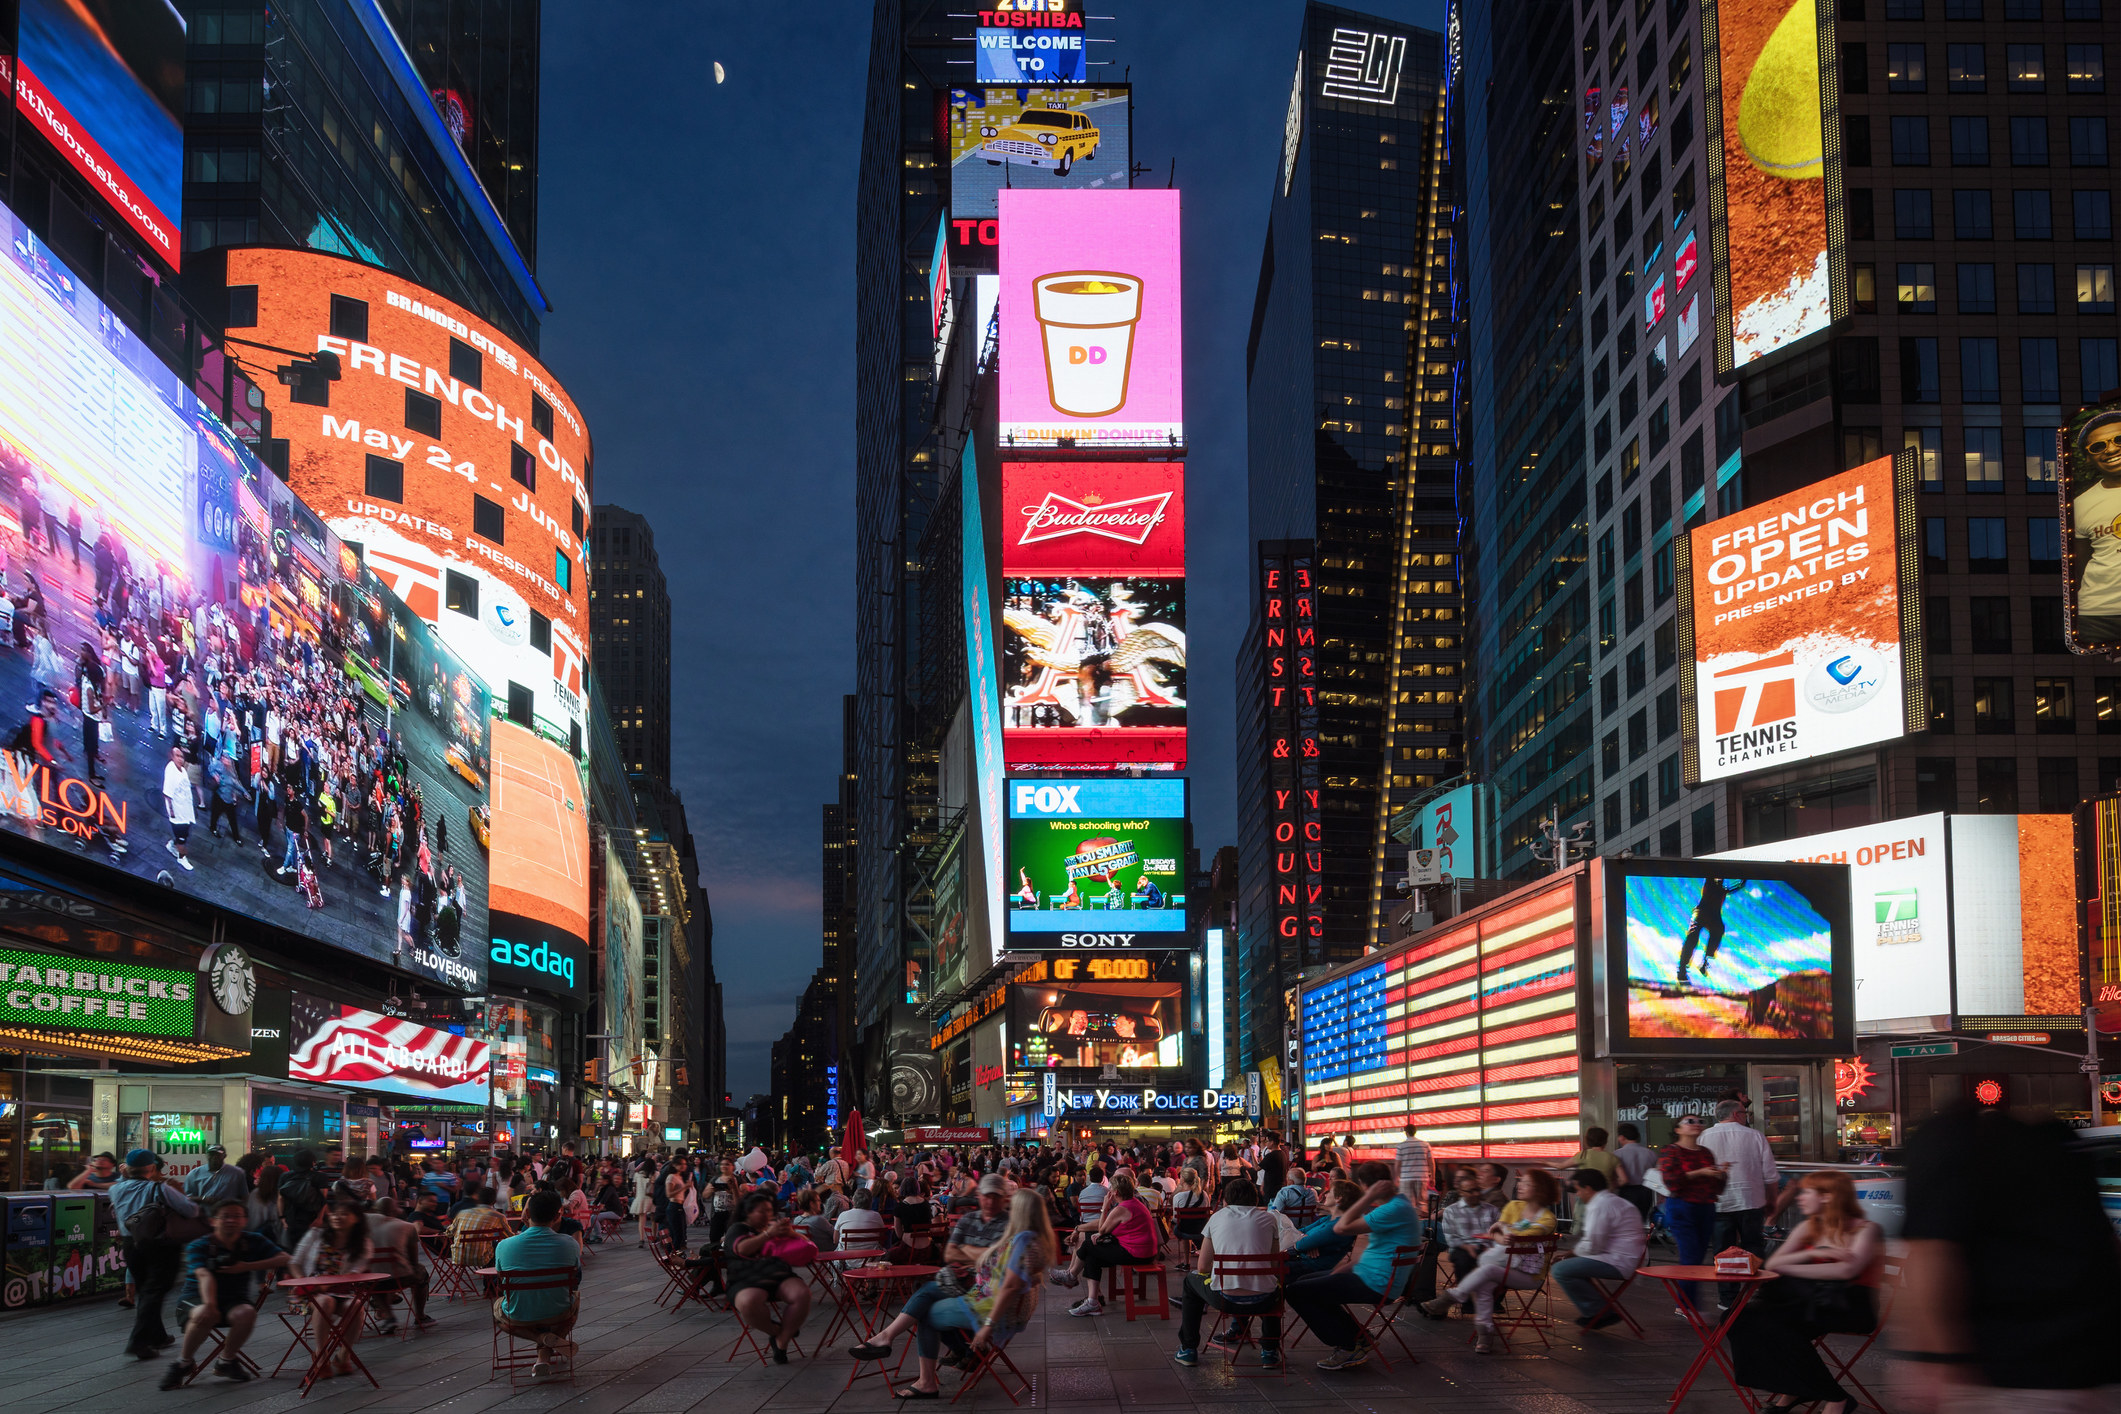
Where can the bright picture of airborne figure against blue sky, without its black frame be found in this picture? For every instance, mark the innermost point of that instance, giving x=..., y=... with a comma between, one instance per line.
x=1728, y=959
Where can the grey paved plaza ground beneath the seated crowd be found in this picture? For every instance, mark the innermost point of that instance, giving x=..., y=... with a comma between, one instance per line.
x=654, y=1362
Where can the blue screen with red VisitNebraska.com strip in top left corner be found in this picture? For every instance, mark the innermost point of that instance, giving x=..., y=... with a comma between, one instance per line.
x=103, y=82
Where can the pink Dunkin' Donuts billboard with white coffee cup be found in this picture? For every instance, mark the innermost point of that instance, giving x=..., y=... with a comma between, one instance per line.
x=1091, y=311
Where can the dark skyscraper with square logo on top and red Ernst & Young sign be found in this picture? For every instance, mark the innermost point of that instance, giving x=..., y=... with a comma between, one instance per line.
x=1352, y=406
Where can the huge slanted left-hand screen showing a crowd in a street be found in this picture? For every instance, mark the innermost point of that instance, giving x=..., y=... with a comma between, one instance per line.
x=215, y=665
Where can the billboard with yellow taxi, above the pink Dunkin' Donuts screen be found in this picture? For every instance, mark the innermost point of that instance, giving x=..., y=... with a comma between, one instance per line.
x=1036, y=139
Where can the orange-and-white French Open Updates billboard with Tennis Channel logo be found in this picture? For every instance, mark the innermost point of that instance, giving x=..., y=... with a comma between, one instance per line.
x=1802, y=622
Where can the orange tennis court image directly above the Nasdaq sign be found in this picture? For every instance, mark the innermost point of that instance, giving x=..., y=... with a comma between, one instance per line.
x=542, y=832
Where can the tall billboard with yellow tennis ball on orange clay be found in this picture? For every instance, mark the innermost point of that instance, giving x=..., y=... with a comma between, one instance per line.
x=1768, y=175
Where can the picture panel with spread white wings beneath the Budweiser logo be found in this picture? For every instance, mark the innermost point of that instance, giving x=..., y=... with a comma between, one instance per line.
x=1081, y=652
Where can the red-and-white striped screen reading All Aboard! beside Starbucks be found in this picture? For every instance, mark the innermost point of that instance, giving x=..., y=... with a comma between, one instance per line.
x=366, y=1050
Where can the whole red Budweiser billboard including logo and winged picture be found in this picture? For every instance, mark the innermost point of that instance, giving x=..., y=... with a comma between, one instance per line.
x=1093, y=612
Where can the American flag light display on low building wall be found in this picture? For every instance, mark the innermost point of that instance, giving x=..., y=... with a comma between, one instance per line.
x=1467, y=1031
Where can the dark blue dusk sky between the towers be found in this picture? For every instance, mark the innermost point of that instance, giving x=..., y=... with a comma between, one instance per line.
x=699, y=249
